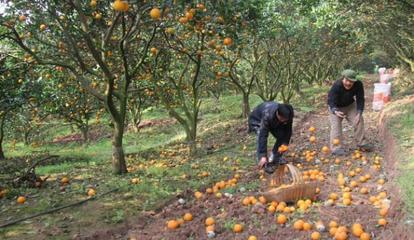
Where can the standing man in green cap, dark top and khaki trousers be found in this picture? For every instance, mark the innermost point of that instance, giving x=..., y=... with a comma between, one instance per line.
x=346, y=100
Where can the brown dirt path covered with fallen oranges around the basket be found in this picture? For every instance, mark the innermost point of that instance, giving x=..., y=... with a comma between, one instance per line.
x=258, y=221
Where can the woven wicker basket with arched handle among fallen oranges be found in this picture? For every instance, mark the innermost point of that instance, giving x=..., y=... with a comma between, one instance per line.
x=292, y=192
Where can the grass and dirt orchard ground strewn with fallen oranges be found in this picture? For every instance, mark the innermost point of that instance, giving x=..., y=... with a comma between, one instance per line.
x=164, y=172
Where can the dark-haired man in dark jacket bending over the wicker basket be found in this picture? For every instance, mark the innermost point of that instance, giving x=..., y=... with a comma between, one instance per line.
x=274, y=118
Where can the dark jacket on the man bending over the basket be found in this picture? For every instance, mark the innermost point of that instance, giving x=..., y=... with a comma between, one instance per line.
x=263, y=120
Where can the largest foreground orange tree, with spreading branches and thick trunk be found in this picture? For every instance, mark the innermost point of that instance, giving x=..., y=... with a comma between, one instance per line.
x=102, y=45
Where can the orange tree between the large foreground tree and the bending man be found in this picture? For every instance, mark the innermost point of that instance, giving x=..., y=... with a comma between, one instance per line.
x=183, y=57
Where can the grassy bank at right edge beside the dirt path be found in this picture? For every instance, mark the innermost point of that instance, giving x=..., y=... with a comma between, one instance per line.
x=401, y=124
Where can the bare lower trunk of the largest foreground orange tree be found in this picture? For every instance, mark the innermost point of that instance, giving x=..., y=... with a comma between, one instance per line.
x=118, y=156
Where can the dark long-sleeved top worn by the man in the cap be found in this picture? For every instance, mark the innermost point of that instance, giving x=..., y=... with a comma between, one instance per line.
x=339, y=97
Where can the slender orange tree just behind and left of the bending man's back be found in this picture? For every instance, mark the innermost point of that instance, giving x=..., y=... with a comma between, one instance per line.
x=241, y=62
